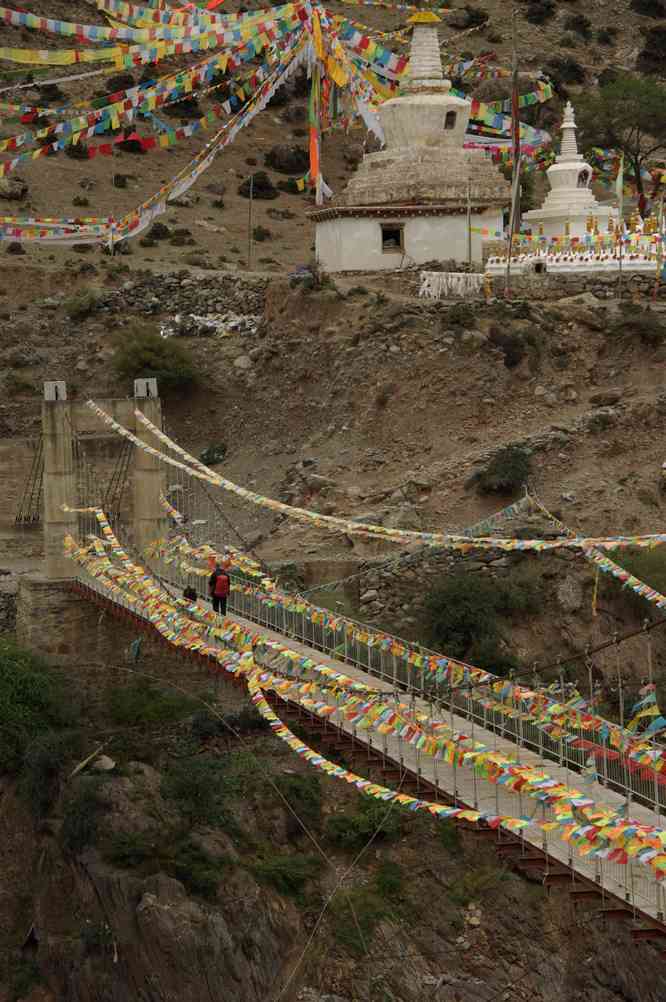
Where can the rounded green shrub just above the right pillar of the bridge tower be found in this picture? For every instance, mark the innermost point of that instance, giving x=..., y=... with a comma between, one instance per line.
x=145, y=354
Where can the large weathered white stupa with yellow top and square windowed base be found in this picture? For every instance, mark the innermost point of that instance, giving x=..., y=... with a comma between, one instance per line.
x=407, y=205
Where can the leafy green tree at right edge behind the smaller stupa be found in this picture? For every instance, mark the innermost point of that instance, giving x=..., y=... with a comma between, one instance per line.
x=627, y=115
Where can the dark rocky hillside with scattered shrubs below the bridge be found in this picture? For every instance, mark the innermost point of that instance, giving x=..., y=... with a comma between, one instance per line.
x=188, y=863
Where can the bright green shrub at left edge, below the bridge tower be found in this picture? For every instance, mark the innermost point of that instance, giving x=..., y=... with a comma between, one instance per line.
x=33, y=701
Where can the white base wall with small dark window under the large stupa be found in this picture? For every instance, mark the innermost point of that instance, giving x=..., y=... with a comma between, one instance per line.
x=355, y=245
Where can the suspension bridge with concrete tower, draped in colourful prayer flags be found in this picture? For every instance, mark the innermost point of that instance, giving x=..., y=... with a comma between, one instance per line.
x=564, y=794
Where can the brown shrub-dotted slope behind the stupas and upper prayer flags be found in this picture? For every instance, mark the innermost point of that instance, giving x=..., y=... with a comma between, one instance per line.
x=210, y=226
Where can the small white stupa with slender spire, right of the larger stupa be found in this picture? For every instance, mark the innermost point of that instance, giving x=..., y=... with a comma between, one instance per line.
x=570, y=204
